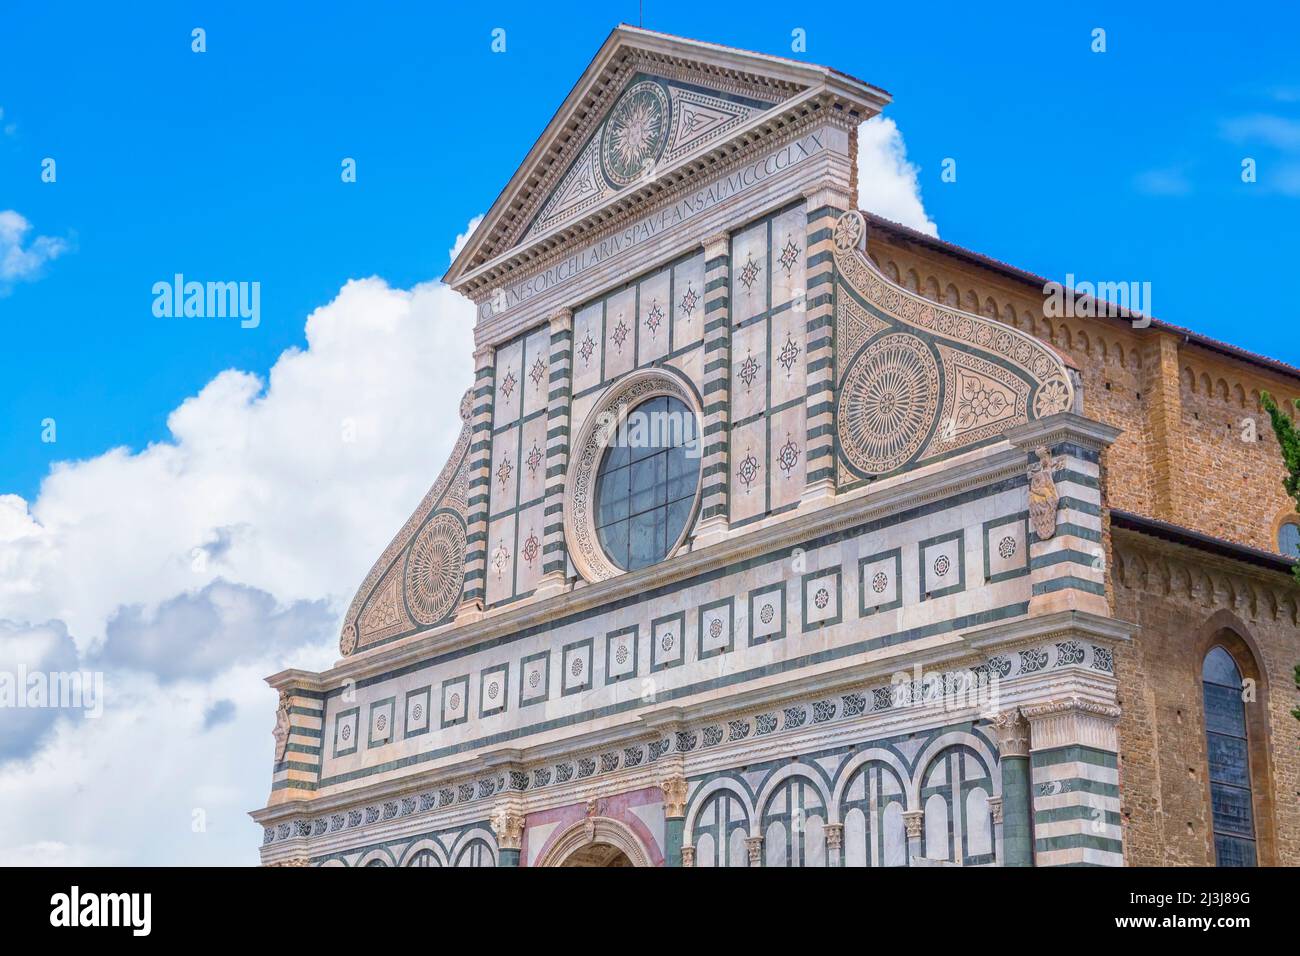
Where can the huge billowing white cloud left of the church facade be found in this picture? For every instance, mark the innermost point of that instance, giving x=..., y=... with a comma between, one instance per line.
x=224, y=548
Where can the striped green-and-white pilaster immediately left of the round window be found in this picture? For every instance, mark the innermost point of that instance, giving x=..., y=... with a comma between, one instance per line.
x=554, y=548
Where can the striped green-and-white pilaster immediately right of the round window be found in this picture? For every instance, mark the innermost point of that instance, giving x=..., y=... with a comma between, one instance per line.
x=716, y=511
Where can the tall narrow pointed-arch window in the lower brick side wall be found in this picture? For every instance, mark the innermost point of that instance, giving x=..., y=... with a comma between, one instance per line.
x=1229, y=760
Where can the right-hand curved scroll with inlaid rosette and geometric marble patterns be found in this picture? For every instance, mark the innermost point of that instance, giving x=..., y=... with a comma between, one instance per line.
x=917, y=380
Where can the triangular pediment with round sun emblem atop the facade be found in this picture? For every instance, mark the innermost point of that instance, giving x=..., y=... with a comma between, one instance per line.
x=648, y=107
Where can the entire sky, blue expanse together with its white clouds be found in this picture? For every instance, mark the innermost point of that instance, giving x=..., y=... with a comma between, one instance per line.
x=202, y=521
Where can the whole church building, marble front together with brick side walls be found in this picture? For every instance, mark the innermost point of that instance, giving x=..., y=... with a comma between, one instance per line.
x=781, y=535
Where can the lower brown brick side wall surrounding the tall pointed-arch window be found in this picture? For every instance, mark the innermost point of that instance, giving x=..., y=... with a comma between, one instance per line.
x=1184, y=603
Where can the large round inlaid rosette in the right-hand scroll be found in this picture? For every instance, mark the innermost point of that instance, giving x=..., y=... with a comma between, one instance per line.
x=889, y=404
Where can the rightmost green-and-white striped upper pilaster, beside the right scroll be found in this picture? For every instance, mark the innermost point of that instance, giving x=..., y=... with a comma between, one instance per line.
x=825, y=206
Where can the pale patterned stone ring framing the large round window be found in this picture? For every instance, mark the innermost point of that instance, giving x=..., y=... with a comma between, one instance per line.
x=599, y=430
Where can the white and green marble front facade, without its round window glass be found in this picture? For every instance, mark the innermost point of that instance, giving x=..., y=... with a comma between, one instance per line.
x=824, y=671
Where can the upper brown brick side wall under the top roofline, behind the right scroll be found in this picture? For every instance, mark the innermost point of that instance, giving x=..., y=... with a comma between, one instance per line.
x=1184, y=409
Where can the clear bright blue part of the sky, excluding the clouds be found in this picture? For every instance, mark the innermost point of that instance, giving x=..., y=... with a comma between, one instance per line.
x=1123, y=166
